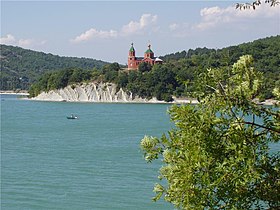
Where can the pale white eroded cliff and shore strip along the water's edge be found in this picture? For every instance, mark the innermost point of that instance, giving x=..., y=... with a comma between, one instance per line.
x=109, y=93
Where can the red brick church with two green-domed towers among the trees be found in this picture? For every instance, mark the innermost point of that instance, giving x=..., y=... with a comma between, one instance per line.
x=133, y=61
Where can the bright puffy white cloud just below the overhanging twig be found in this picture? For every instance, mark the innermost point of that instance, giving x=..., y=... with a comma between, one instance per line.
x=216, y=16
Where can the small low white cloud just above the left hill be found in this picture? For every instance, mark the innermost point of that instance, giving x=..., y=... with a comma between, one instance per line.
x=9, y=39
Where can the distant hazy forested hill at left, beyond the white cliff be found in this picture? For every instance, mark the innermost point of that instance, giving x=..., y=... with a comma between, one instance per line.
x=21, y=67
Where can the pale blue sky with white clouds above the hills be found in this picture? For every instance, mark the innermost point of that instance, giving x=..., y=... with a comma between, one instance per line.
x=104, y=30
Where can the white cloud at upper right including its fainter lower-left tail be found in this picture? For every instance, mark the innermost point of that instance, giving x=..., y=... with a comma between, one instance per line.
x=218, y=17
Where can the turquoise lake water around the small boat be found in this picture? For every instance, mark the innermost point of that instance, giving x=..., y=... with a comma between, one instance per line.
x=50, y=162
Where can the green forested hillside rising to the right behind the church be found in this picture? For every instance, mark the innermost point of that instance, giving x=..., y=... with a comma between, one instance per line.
x=264, y=51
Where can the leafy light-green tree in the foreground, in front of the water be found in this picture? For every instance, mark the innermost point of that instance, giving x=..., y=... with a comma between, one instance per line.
x=217, y=156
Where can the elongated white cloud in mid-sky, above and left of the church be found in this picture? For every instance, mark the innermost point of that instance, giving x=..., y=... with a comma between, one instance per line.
x=146, y=21
